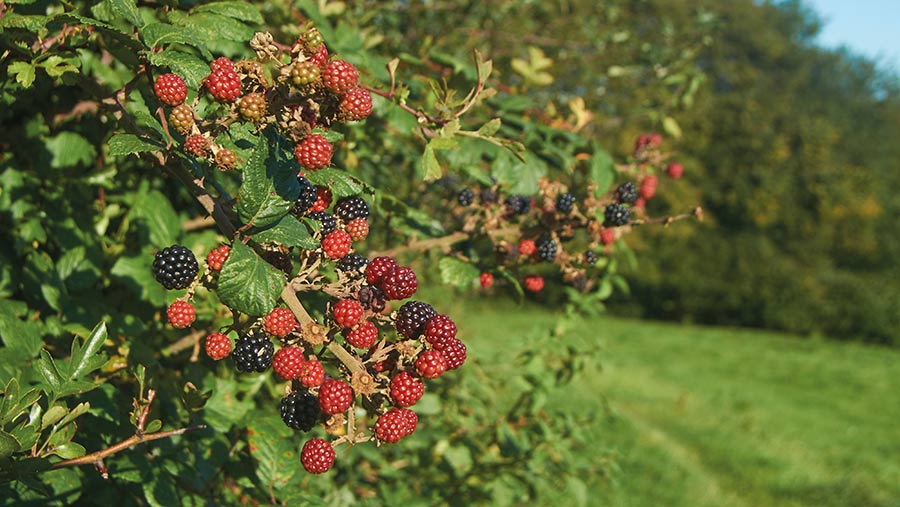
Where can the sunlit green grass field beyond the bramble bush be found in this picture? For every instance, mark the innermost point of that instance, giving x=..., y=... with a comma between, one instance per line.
x=723, y=417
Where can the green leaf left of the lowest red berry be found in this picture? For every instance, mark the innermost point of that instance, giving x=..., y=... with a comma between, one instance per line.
x=274, y=450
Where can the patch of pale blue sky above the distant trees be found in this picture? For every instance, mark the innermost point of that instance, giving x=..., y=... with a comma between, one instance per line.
x=868, y=27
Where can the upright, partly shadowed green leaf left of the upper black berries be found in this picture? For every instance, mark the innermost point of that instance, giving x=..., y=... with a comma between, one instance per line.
x=270, y=184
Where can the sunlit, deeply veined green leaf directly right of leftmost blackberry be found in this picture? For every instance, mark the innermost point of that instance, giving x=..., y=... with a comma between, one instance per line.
x=249, y=284
